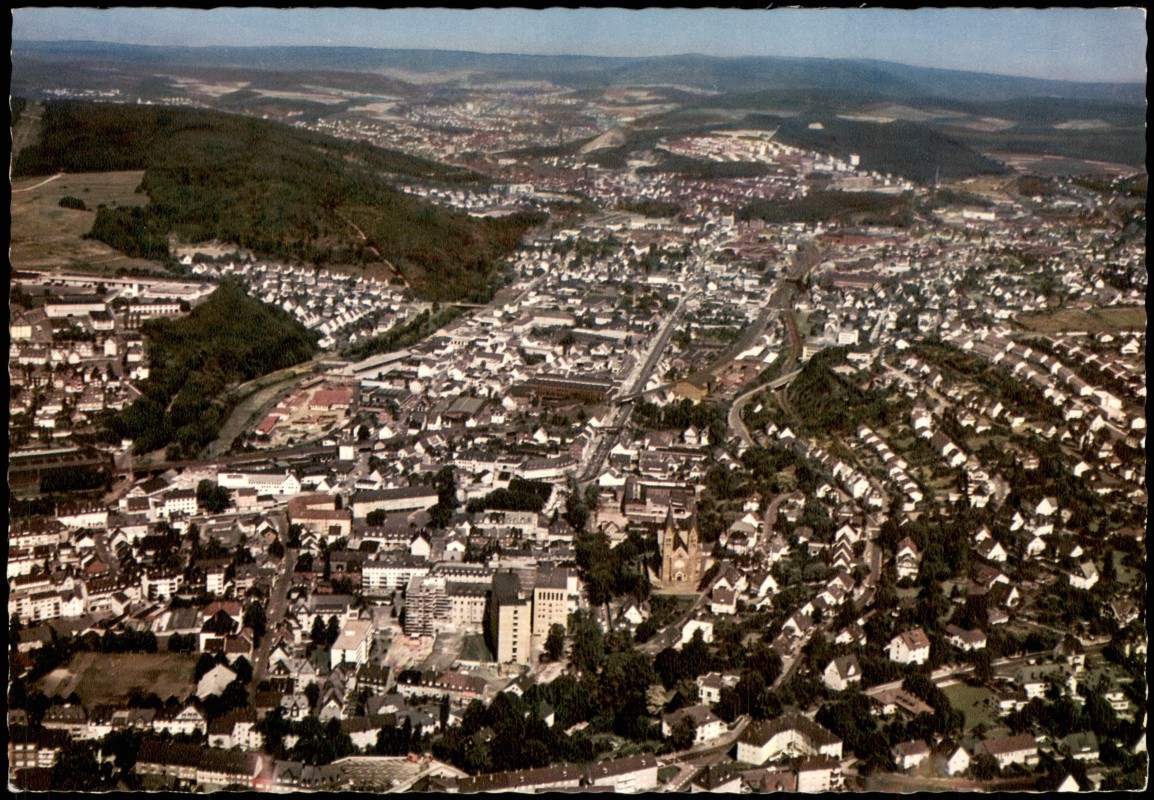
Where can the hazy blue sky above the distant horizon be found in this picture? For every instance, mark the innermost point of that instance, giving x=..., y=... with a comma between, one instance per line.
x=1095, y=44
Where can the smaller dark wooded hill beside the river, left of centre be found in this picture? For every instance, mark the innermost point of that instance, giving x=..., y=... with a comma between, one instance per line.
x=227, y=340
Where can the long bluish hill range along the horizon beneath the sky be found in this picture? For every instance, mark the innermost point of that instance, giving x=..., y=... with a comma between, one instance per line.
x=744, y=74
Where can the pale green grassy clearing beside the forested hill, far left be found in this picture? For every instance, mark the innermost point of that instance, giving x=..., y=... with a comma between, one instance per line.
x=44, y=235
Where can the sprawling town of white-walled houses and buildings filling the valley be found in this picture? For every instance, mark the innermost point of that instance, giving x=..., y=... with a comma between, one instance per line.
x=413, y=549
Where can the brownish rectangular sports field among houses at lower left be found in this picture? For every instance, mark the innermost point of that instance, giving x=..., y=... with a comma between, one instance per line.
x=108, y=678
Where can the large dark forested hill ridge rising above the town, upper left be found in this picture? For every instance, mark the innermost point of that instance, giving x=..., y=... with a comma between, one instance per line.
x=275, y=190
